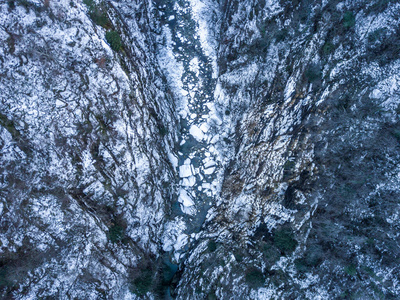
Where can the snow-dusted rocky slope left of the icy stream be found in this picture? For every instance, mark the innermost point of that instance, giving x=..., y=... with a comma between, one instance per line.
x=86, y=180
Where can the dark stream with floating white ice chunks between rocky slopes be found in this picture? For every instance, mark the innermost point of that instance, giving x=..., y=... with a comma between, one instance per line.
x=190, y=66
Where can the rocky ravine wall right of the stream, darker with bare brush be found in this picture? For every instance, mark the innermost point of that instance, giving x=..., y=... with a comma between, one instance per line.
x=309, y=100
